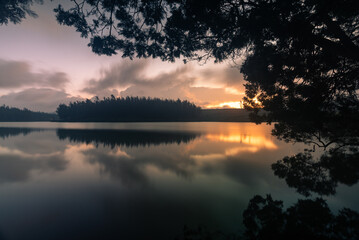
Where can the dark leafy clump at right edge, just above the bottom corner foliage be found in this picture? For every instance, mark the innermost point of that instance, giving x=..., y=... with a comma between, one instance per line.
x=307, y=174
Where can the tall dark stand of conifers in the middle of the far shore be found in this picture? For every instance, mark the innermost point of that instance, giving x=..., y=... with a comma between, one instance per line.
x=112, y=109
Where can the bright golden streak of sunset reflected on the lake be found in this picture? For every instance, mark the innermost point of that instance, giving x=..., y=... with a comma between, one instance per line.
x=254, y=141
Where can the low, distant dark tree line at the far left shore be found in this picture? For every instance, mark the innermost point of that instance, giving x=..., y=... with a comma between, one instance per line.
x=8, y=114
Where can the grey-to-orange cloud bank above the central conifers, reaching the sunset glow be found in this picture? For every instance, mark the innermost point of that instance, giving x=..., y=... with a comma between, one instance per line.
x=130, y=78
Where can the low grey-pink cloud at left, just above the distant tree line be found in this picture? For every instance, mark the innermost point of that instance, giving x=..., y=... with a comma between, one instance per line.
x=38, y=99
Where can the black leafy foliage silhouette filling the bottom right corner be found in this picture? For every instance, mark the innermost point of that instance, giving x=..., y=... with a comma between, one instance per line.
x=307, y=219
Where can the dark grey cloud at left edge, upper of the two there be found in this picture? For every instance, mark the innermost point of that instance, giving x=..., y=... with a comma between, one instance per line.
x=15, y=74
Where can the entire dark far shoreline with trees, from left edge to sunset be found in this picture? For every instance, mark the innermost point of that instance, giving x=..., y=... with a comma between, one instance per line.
x=129, y=109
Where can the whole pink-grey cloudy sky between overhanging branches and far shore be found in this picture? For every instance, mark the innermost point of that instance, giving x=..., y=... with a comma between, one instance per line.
x=44, y=64
